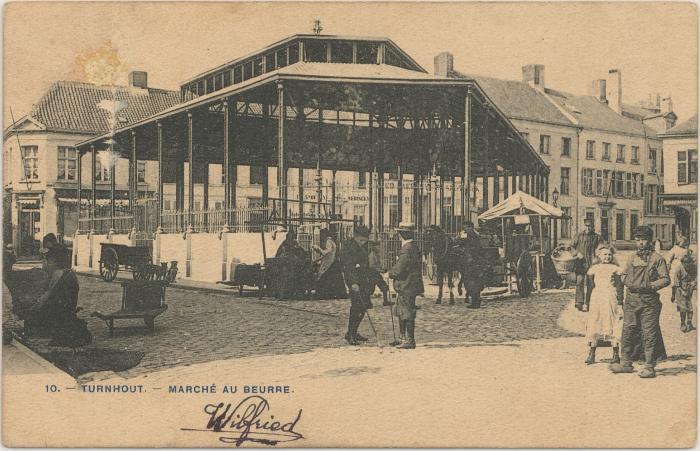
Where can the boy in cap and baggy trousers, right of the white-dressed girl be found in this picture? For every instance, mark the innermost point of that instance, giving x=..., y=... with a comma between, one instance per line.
x=644, y=275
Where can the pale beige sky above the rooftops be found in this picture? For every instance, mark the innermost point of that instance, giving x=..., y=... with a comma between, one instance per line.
x=653, y=44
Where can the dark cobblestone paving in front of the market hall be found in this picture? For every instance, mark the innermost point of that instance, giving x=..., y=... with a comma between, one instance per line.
x=204, y=325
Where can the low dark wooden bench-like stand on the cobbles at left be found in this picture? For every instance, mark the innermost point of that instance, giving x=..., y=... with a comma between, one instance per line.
x=140, y=299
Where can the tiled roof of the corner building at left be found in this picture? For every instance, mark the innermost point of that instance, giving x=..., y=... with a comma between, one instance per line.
x=73, y=105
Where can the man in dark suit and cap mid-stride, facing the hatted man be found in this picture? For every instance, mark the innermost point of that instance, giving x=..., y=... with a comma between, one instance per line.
x=355, y=260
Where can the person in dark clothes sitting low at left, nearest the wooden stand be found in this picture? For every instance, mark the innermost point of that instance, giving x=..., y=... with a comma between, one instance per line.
x=53, y=314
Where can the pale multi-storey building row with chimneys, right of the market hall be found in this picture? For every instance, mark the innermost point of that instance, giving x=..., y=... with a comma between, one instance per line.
x=604, y=155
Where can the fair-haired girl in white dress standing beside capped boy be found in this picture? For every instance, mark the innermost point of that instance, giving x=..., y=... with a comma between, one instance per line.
x=605, y=312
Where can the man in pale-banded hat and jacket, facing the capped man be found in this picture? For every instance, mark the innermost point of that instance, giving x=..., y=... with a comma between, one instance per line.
x=408, y=283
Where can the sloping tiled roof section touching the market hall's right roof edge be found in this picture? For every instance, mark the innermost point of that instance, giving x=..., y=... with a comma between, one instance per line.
x=518, y=100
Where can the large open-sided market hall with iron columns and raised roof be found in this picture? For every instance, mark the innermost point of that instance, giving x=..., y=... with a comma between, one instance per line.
x=328, y=104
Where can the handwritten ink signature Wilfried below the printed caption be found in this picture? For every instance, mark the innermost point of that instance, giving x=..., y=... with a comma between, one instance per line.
x=250, y=420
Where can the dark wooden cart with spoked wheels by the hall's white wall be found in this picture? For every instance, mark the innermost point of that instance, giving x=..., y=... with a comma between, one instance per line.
x=136, y=259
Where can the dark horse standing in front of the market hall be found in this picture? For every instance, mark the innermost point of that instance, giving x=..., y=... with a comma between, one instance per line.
x=446, y=256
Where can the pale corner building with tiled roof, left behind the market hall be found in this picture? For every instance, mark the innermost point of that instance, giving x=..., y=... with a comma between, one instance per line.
x=40, y=160
